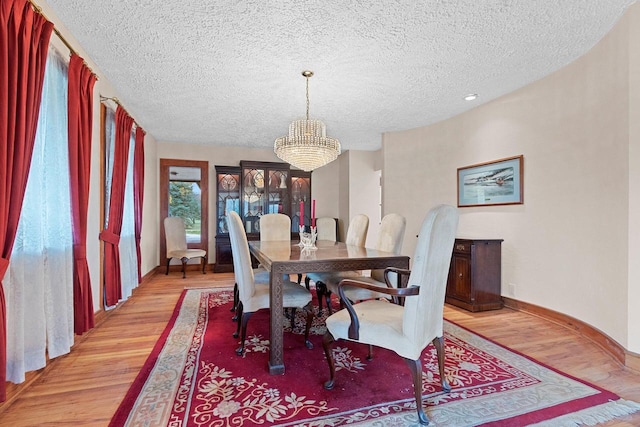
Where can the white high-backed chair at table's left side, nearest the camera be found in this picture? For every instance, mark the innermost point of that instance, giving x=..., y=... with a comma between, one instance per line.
x=255, y=296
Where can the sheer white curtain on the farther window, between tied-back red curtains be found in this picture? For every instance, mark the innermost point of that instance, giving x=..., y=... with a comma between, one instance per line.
x=127, y=245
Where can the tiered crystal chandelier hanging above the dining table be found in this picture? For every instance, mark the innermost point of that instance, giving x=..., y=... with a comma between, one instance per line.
x=307, y=146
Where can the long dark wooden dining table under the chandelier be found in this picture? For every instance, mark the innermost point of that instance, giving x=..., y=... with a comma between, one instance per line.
x=284, y=258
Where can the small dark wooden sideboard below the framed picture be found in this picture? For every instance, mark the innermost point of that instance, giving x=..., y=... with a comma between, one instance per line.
x=474, y=281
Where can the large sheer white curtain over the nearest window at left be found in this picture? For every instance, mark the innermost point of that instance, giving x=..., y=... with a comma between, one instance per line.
x=39, y=281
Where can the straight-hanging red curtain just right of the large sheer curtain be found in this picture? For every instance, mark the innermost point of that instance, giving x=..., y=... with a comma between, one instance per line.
x=81, y=81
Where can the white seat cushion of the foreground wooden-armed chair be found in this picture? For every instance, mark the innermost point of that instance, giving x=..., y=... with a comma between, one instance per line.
x=380, y=325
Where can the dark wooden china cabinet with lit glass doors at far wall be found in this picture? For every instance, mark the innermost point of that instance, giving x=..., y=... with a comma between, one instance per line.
x=252, y=190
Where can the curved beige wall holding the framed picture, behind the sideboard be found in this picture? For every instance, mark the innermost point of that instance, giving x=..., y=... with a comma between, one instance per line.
x=566, y=248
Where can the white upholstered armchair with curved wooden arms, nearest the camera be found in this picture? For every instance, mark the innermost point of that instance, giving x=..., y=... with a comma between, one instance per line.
x=408, y=328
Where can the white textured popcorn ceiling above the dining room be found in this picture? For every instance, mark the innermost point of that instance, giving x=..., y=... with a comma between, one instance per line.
x=228, y=72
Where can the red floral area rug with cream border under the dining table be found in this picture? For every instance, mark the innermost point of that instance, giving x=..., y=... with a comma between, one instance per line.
x=194, y=378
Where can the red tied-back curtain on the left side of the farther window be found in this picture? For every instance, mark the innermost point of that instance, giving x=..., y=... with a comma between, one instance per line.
x=111, y=235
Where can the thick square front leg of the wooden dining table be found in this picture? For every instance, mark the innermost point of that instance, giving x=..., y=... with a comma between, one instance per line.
x=276, y=360
